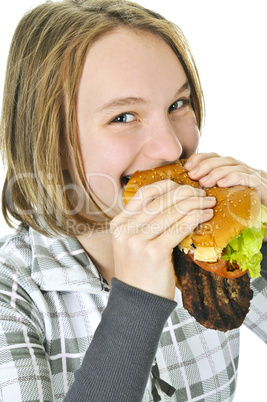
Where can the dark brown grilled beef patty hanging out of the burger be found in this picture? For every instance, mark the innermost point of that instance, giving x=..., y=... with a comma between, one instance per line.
x=215, y=302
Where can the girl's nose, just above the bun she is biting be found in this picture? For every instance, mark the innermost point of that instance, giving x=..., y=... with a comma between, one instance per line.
x=162, y=145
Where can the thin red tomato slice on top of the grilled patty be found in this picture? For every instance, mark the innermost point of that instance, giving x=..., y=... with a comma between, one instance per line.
x=221, y=268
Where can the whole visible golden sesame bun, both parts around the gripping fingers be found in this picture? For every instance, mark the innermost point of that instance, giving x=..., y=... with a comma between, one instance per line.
x=237, y=208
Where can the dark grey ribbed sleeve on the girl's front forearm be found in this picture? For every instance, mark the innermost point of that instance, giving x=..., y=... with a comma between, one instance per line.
x=118, y=362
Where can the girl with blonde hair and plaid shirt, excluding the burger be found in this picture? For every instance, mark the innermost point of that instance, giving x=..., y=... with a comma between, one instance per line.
x=96, y=90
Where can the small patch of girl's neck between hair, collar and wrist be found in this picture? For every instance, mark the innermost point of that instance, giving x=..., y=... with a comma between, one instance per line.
x=98, y=245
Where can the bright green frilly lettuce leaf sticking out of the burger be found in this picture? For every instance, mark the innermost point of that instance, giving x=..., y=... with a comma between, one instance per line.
x=245, y=250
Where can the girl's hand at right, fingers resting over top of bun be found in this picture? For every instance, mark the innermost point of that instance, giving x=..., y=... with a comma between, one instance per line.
x=211, y=169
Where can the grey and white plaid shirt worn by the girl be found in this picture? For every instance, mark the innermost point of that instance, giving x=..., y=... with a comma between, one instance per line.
x=51, y=300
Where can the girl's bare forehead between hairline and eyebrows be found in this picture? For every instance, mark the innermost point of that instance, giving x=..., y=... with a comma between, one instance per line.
x=130, y=61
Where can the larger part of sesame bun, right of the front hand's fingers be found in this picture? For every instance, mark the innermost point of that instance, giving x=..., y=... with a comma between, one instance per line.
x=237, y=208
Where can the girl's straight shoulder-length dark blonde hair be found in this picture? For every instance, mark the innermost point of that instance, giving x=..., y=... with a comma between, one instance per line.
x=44, y=68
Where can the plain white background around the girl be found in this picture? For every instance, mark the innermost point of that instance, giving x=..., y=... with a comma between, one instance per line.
x=228, y=40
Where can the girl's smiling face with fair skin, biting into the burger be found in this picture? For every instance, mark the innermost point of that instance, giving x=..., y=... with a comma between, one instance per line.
x=134, y=112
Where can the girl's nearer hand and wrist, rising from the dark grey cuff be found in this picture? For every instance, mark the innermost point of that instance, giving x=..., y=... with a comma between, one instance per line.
x=155, y=220
